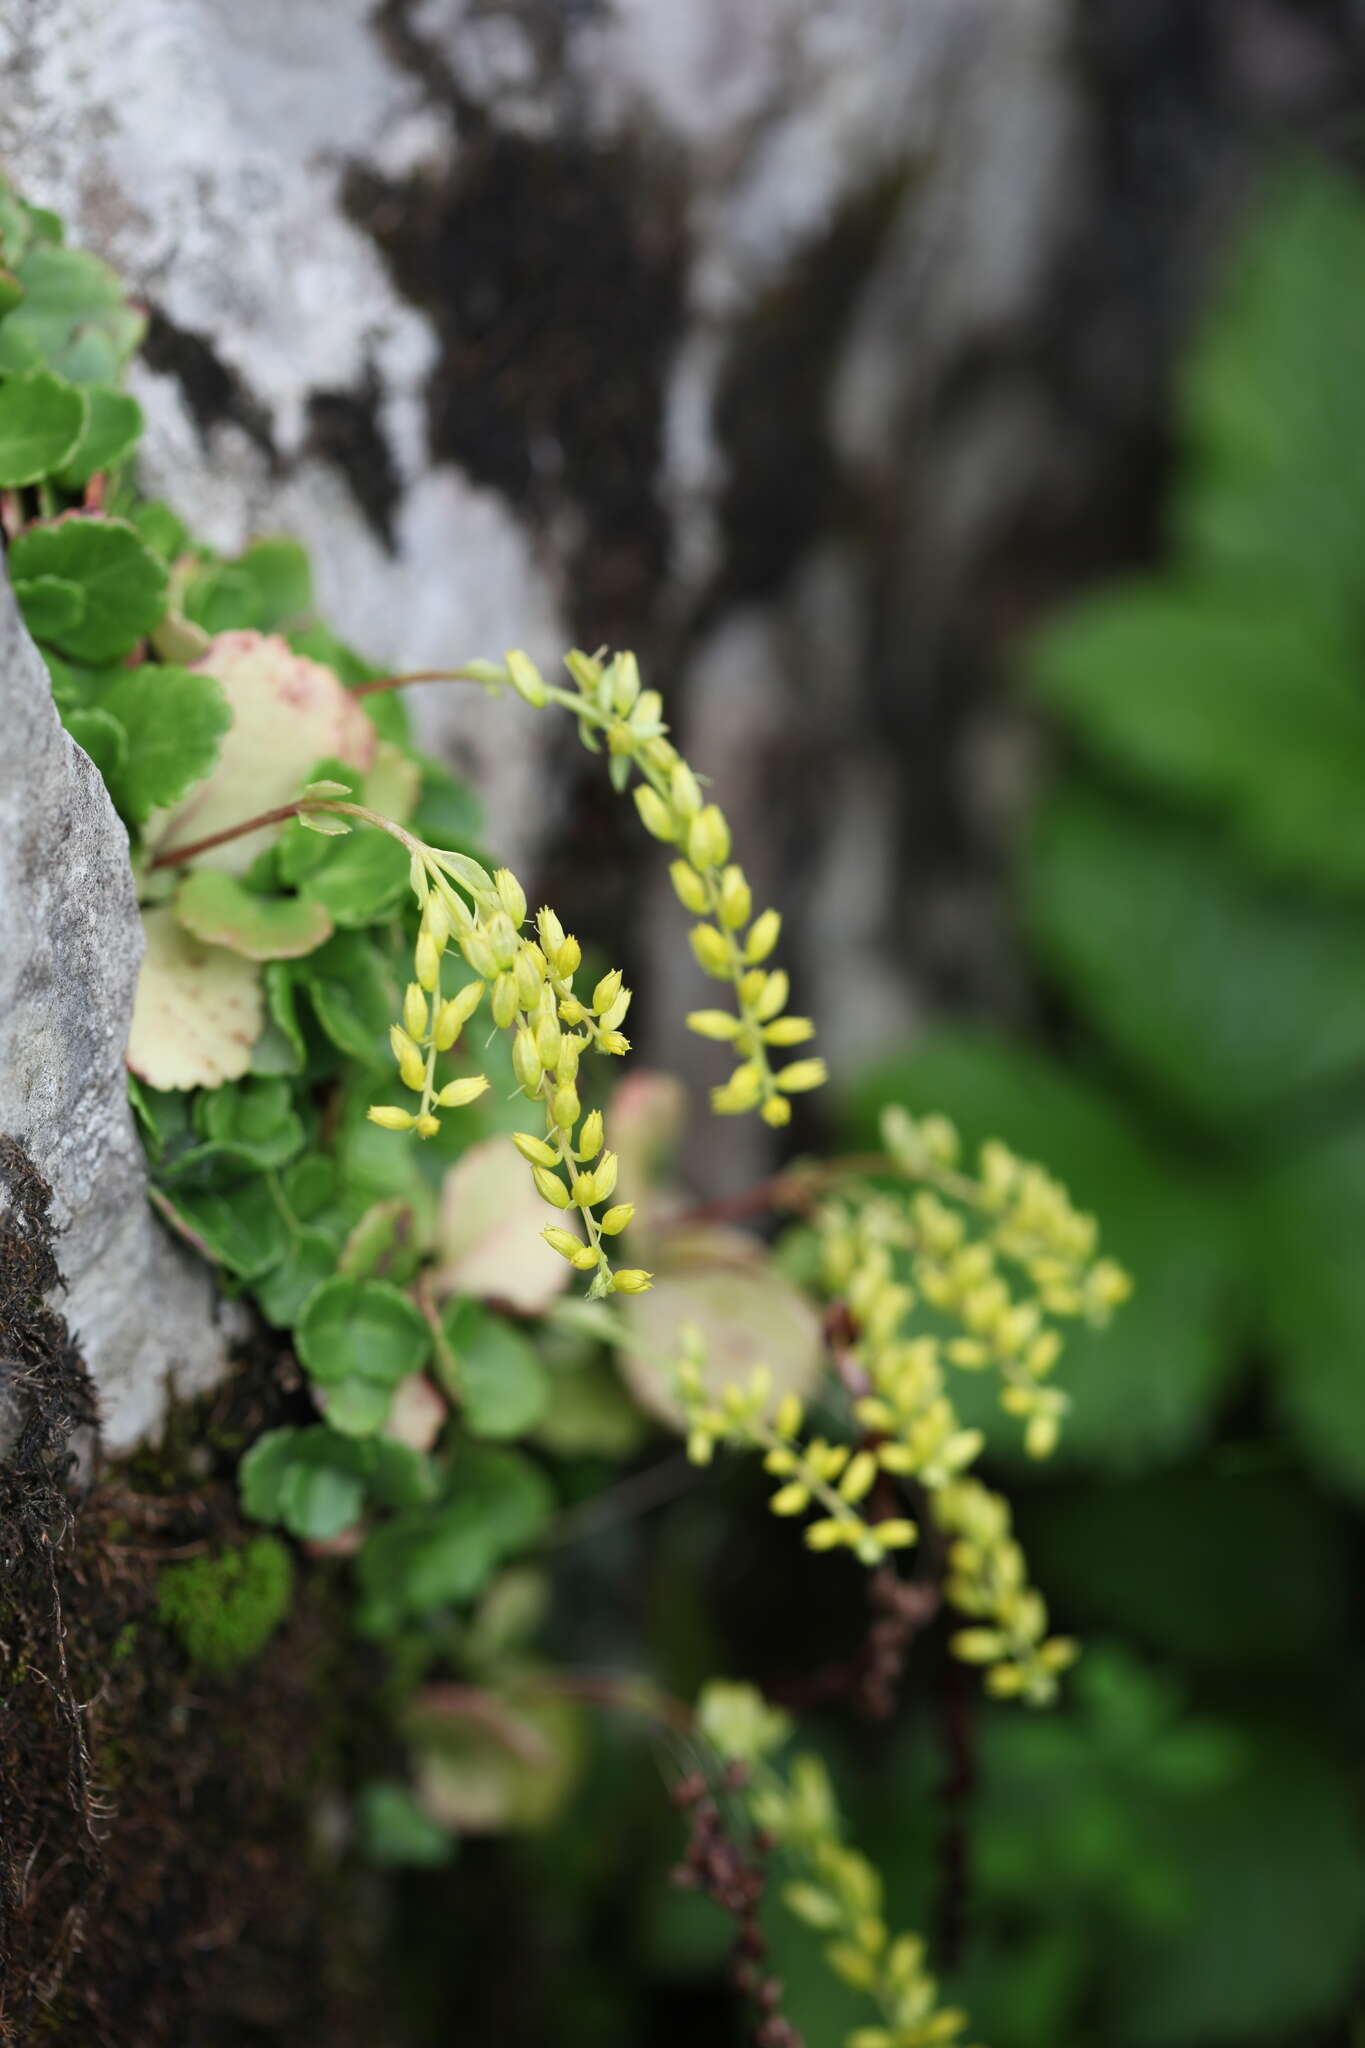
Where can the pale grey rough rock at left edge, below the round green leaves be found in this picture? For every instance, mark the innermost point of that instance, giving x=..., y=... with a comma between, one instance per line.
x=71, y=943
